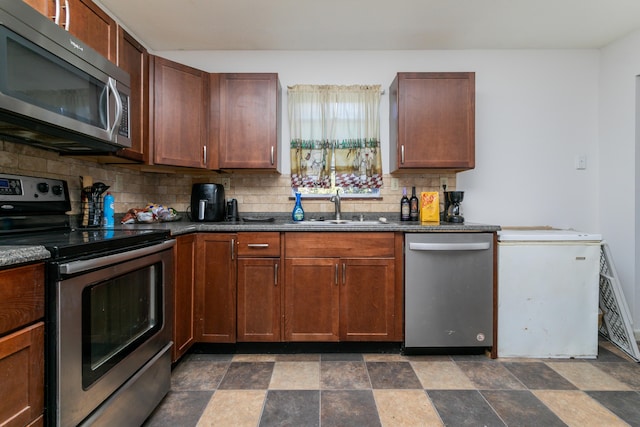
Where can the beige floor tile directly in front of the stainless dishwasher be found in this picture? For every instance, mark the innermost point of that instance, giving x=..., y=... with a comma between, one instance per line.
x=441, y=376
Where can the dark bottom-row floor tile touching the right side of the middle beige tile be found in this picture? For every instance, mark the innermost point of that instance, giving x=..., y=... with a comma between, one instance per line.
x=463, y=408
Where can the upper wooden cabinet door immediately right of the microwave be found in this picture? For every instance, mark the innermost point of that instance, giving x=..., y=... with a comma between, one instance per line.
x=134, y=59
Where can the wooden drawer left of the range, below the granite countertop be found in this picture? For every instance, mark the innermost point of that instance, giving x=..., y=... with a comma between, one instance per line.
x=21, y=296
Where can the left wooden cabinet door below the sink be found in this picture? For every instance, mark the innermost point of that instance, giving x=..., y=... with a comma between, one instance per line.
x=311, y=299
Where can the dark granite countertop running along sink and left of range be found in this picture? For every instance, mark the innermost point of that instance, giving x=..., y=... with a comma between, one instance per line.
x=316, y=222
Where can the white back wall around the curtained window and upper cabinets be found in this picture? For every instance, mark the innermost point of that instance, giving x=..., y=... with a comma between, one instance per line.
x=535, y=111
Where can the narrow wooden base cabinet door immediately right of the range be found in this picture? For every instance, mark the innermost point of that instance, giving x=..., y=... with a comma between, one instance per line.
x=184, y=295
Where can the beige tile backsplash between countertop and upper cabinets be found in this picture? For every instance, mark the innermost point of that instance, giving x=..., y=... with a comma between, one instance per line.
x=134, y=188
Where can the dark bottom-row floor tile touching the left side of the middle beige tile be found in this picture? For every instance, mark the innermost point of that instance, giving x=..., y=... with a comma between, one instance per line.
x=348, y=408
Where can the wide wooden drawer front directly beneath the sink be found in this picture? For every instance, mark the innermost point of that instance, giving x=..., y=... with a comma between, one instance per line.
x=339, y=244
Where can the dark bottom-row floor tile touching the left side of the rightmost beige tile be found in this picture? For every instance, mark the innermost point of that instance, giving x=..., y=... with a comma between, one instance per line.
x=521, y=408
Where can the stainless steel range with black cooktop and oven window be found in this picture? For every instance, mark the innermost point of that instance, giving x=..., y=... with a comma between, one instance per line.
x=108, y=313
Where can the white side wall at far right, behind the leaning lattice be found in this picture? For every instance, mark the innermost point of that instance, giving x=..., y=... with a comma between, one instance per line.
x=619, y=180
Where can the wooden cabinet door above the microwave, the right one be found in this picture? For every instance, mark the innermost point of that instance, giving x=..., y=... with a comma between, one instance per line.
x=92, y=25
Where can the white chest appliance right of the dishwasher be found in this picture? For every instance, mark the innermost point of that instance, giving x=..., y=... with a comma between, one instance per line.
x=548, y=292
